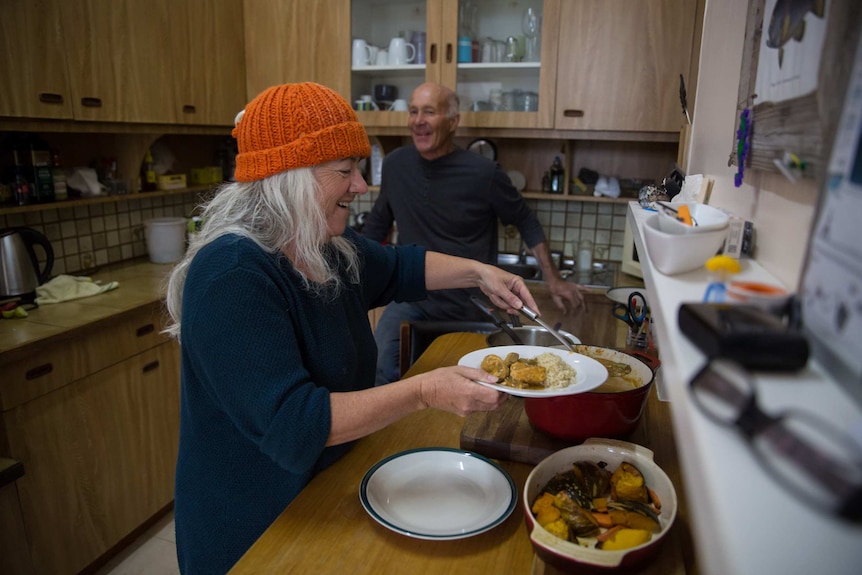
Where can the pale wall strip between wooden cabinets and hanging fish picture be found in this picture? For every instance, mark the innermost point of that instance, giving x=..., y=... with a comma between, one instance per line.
x=782, y=212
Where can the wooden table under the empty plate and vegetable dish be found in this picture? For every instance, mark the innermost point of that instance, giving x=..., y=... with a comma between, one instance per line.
x=326, y=530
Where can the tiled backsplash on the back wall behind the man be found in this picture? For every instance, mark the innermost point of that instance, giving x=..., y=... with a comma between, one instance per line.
x=565, y=223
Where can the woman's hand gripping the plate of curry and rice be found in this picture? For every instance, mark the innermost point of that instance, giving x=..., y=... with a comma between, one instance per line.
x=453, y=389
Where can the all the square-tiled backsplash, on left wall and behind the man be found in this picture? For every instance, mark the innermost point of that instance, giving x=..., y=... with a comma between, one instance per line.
x=86, y=237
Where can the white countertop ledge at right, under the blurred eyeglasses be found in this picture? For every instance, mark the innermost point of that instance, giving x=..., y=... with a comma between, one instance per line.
x=744, y=521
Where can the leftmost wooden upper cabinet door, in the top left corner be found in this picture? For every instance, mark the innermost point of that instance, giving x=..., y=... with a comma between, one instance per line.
x=35, y=83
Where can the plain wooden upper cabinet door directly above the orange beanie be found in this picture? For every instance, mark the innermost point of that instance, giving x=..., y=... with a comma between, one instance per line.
x=297, y=41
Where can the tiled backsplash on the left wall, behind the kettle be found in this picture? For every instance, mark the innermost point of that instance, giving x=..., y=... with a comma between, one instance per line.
x=85, y=237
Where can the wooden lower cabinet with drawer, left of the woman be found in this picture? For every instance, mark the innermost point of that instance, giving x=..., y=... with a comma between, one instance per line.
x=98, y=439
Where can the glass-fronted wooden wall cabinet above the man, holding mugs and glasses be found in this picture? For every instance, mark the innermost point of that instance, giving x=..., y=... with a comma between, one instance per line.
x=378, y=21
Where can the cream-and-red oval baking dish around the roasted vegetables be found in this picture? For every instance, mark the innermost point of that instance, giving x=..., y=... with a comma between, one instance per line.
x=571, y=556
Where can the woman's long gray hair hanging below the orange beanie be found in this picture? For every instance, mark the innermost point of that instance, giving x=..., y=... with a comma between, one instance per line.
x=281, y=212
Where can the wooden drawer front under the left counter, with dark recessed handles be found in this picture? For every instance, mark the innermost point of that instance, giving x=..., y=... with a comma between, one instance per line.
x=49, y=367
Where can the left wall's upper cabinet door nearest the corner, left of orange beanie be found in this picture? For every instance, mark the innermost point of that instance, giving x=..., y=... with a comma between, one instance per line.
x=210, y=62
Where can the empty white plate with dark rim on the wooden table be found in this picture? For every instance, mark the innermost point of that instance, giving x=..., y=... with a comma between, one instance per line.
x=438, y=493
